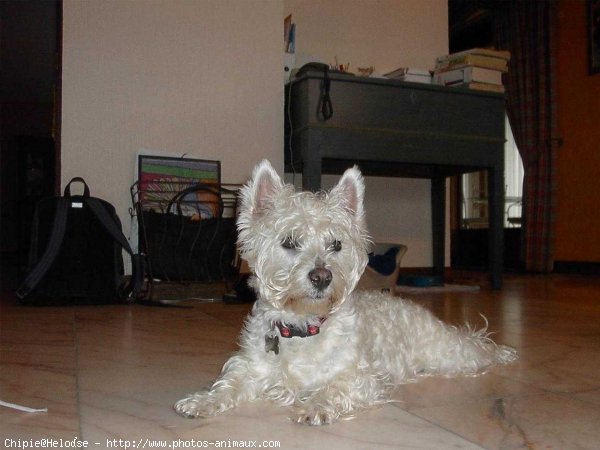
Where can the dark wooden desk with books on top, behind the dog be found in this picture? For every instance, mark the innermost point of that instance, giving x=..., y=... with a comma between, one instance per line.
x=393, y=128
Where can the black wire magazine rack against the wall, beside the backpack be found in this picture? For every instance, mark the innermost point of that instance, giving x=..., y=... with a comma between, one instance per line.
x=187, y=231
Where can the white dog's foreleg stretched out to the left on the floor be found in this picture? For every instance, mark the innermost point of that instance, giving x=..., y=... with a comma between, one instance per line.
x=231, y=388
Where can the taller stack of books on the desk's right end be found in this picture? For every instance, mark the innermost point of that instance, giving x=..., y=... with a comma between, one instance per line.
x=476, y=68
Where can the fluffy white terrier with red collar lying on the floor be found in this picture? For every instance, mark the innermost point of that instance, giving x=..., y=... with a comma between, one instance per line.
x=311, y=341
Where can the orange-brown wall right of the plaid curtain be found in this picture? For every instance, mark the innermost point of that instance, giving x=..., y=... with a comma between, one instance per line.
x=578, y=163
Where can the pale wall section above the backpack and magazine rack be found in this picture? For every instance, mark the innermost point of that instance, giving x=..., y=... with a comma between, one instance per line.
x=195, y=77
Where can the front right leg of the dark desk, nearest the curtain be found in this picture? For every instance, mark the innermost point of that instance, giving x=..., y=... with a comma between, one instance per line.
x=496, y=234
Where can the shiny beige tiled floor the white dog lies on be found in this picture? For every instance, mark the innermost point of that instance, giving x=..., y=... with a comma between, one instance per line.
x=113, y=372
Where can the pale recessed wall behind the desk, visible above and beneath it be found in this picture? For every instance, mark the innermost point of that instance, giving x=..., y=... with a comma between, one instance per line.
x=385, y=34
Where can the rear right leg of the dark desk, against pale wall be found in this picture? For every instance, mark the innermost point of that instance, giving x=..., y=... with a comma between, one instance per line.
x=438, y=223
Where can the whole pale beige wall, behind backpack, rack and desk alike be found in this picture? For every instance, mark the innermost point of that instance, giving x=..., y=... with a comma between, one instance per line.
x=204, y=77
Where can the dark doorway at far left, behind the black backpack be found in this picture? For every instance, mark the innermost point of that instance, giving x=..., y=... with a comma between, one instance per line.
x=30, y=117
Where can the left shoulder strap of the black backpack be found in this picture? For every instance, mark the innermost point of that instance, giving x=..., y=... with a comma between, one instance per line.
x=56, y=237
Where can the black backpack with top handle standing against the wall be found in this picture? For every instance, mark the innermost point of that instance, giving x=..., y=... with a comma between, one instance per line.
x=75, y=256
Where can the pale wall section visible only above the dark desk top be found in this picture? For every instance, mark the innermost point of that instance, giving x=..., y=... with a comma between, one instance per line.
x=385, y=34
